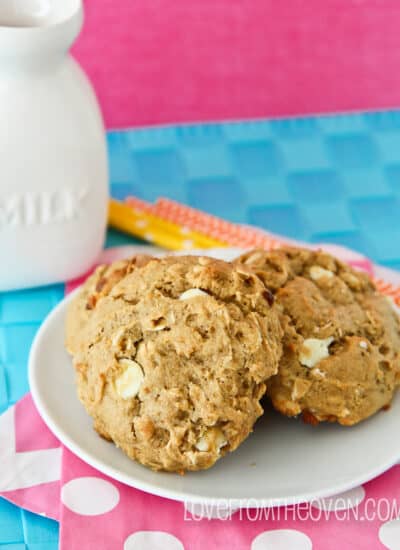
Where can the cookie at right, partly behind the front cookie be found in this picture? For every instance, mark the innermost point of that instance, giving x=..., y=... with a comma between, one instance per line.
x=341, y=343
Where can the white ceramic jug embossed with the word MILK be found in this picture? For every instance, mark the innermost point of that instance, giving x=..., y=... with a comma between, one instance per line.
x=53, y=161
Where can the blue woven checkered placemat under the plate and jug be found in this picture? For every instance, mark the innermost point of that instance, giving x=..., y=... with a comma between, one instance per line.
x=329, y=179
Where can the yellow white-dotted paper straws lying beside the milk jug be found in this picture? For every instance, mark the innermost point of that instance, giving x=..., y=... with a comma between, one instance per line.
x=156, y=230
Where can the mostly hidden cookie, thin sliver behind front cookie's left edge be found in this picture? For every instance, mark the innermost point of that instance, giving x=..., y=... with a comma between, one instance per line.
x=95, y=287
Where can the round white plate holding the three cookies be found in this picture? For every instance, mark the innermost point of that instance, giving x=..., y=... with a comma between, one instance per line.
x=283, y=462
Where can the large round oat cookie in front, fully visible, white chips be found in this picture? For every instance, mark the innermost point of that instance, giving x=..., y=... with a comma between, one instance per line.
x=175, y=360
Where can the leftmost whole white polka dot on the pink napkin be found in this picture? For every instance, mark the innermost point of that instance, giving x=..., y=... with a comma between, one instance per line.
x=89, y=496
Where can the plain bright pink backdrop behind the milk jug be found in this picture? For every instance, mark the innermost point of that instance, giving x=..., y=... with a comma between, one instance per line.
x=185, y=60
